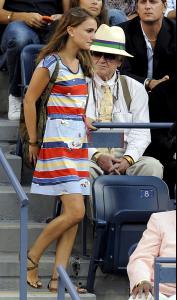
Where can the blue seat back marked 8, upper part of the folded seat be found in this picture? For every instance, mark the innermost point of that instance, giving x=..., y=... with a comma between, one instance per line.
x=113, y=194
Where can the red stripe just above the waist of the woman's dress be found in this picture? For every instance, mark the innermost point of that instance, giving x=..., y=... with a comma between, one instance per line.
x=65, y=110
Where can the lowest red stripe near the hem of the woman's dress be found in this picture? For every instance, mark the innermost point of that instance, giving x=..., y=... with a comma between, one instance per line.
x=60, y=173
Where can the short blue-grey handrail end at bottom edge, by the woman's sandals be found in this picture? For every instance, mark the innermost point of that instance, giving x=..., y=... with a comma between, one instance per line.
x=64, y=282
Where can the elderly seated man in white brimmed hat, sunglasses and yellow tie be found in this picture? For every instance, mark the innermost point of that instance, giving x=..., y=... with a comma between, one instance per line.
x=115, y=98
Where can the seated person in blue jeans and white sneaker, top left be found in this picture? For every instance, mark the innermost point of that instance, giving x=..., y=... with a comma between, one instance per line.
x=22, y=24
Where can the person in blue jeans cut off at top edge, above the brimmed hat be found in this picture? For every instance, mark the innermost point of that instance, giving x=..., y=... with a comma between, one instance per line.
x=121, y=10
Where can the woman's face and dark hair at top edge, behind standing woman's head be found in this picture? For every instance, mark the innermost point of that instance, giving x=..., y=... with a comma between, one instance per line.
x=96, y=7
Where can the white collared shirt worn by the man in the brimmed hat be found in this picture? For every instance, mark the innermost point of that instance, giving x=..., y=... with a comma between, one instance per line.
x=136, y=140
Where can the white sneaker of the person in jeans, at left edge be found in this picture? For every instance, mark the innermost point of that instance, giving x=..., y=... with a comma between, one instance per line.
x=14, y=108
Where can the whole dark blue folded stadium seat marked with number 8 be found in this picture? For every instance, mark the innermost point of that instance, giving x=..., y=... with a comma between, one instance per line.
x=122, y=208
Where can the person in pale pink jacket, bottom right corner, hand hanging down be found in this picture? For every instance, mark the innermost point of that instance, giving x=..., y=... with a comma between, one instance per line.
x=159, y=240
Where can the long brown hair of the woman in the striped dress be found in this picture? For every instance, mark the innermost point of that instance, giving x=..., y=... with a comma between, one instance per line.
x=74, y=17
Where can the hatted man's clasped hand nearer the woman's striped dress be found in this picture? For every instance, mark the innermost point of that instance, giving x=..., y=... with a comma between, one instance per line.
x=106, y=162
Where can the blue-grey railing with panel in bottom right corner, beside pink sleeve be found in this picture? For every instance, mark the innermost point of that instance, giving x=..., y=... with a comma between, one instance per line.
x=165, y=272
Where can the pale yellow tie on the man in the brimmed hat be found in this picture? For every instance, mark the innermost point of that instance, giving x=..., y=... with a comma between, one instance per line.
x=106, y=105
